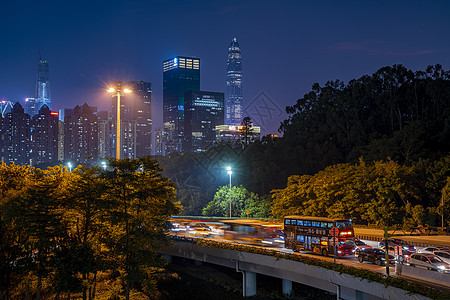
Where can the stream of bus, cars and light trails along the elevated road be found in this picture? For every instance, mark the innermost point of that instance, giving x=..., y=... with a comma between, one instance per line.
x=321, y=238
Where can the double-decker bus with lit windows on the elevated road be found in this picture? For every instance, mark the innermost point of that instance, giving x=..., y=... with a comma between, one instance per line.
x=313, y=234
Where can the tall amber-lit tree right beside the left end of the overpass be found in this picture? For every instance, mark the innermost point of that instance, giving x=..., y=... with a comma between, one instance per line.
x=144, y=202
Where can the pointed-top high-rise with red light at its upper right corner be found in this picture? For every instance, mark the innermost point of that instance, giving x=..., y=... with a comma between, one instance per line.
x=44, y=137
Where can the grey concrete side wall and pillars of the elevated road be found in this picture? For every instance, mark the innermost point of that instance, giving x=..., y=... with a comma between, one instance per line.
x=249, y=264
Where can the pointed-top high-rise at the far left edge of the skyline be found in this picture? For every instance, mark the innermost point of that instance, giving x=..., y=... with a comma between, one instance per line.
x=16, y=136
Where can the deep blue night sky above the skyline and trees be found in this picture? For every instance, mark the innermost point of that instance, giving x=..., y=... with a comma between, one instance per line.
x=286, y=46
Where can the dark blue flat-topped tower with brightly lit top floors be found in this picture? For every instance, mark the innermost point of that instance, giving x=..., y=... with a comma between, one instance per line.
x=180, y=74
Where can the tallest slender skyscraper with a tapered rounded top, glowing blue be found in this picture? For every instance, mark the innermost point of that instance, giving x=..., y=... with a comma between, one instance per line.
x=233, y=95
